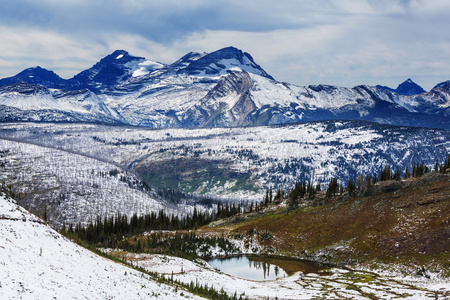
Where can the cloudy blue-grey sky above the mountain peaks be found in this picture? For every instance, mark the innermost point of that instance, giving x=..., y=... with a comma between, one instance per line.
x=338, y=42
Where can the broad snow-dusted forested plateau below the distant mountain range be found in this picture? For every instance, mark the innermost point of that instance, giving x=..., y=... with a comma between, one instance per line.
x=242, y=162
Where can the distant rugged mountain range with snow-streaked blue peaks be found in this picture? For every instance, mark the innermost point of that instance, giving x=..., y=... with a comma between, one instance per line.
x=220, y=89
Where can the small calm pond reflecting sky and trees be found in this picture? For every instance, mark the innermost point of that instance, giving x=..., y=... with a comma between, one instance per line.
x=262, y=268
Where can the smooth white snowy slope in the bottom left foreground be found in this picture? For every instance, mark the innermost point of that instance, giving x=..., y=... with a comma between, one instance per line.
x=38, y=263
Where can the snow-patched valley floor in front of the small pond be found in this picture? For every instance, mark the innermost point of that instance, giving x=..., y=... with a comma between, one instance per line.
x=335, y=283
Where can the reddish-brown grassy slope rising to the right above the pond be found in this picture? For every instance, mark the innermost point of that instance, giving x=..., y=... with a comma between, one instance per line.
x=408, y=223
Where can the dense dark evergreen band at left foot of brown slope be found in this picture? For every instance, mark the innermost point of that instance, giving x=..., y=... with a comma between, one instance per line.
x=109, y=230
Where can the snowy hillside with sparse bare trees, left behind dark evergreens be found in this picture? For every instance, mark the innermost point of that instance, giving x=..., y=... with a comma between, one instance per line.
x=74, y=188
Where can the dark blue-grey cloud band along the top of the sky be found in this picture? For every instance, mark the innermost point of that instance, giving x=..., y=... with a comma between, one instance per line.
x=164, y=23
